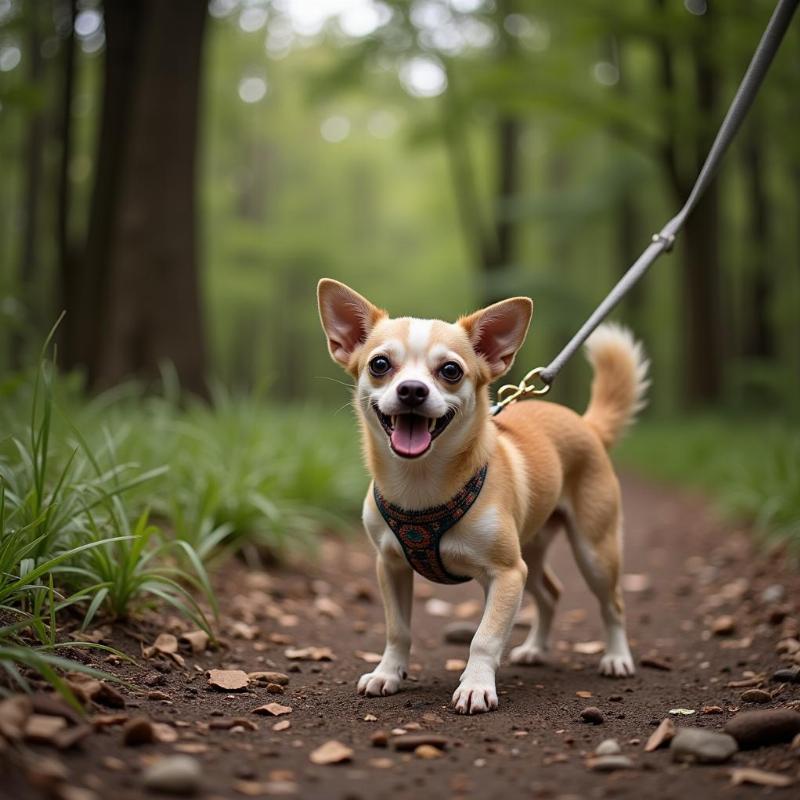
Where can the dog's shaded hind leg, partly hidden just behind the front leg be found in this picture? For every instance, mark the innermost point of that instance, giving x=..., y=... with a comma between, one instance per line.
x=546, y=589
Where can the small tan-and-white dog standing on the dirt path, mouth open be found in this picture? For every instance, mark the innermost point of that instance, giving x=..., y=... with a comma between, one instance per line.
x=459, y=494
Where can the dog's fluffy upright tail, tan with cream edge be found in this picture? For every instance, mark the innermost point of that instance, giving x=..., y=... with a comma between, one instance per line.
x=620, y=381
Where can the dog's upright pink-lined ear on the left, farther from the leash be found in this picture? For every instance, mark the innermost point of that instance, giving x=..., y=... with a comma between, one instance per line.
x=347, y=318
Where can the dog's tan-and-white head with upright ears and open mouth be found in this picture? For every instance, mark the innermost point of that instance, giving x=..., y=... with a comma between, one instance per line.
x=420, y=382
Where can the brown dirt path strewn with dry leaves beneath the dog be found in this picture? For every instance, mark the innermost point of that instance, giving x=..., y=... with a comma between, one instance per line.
x=535, y=745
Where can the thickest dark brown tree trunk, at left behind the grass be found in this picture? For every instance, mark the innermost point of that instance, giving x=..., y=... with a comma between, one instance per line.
x=140, y=283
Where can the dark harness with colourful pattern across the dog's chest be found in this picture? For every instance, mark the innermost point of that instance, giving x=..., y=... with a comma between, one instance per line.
x=420, y=532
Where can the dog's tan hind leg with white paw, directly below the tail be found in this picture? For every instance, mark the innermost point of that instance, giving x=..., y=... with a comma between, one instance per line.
x=596, y=540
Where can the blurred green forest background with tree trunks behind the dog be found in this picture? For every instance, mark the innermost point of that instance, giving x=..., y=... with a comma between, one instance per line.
x=177, y=176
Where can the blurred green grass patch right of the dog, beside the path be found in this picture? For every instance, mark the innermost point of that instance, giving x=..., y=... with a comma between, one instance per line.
x=750, y=470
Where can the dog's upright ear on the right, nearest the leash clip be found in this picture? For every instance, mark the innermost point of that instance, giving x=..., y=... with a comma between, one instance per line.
x=498, y=331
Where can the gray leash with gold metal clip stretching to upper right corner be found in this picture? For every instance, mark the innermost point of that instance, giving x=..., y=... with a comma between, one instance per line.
x=663, y=240
